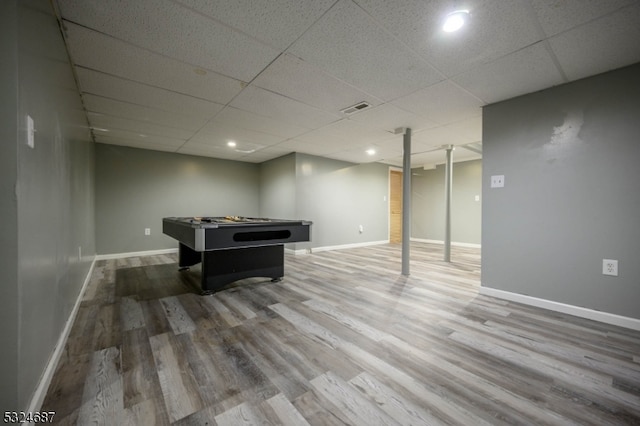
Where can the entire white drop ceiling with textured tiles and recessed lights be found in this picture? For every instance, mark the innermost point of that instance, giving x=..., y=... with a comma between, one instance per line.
x=187, y=76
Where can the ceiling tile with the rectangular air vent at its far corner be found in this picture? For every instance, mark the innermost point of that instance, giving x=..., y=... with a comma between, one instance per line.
x=299, y=80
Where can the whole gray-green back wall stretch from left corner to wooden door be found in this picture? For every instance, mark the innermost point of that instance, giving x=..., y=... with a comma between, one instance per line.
x=136, y=188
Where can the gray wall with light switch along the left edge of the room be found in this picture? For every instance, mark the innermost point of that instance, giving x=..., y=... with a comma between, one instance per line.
x=47, y=196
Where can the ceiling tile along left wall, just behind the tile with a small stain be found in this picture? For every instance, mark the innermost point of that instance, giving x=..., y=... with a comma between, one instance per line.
x=105, y=85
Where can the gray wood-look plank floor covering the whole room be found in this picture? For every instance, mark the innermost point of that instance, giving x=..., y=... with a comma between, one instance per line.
x=343, y=339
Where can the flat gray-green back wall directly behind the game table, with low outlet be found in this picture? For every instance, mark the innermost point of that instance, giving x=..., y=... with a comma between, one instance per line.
x=136, y=188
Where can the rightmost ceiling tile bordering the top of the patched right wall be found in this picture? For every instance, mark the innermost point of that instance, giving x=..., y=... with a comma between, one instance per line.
x=583, y=51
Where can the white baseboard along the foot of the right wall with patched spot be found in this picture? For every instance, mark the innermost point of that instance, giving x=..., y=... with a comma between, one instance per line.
x=605, y=317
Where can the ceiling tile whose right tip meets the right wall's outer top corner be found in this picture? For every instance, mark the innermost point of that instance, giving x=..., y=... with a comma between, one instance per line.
x=442, y=103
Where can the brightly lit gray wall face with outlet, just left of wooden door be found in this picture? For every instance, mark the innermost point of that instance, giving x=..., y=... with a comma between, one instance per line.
x=339, y=197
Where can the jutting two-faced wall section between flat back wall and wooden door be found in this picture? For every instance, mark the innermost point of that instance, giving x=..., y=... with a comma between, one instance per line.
x=336, y=196
